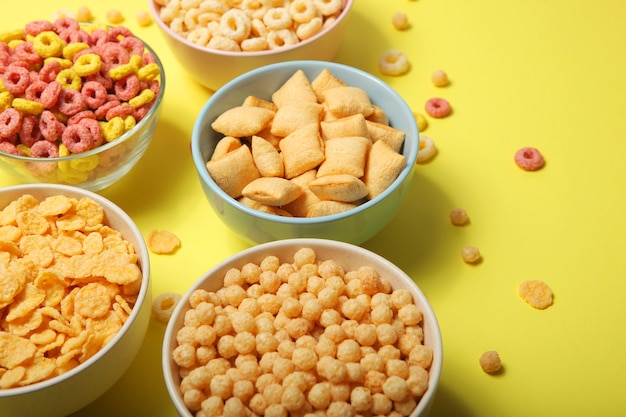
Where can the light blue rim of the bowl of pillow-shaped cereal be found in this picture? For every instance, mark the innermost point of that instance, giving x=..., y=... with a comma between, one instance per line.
x=200, y=164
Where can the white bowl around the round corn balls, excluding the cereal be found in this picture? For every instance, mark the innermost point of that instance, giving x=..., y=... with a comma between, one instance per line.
x=350, y=257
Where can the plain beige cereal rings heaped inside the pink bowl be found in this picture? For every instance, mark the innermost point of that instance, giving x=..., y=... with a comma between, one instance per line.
x=249, y=25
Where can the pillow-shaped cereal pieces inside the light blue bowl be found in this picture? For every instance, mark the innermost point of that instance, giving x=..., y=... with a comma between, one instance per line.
x=316, y=148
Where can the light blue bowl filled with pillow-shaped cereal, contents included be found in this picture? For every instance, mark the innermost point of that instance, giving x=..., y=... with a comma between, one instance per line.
x=305, y=149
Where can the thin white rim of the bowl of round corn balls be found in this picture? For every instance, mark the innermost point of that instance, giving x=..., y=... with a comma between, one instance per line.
x=437, y=362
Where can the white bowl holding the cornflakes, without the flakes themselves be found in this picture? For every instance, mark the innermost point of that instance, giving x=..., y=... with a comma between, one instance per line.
x=75, y=389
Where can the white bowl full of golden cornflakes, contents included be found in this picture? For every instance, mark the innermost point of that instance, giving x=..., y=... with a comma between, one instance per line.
x=74, y=298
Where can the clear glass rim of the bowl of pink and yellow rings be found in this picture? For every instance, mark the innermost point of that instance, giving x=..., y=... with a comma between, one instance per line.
x=117, y=141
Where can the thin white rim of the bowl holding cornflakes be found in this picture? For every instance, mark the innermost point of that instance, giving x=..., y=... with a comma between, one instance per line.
x=141, y=298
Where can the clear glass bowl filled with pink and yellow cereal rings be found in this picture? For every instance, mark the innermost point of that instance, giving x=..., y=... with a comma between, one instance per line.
x=79, y=102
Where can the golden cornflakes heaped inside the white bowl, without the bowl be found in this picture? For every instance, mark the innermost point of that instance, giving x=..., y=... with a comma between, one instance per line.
x=68, y=283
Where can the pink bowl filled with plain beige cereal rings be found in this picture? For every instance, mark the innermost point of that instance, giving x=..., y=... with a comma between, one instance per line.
x=215, y=41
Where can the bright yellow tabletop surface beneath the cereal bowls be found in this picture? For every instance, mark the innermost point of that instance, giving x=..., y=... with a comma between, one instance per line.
x=542, y=73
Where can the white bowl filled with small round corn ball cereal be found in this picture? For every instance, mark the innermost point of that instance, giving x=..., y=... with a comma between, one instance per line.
x=302, y=325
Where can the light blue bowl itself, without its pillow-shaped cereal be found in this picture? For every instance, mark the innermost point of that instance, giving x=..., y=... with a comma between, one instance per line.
x=354, y=226
